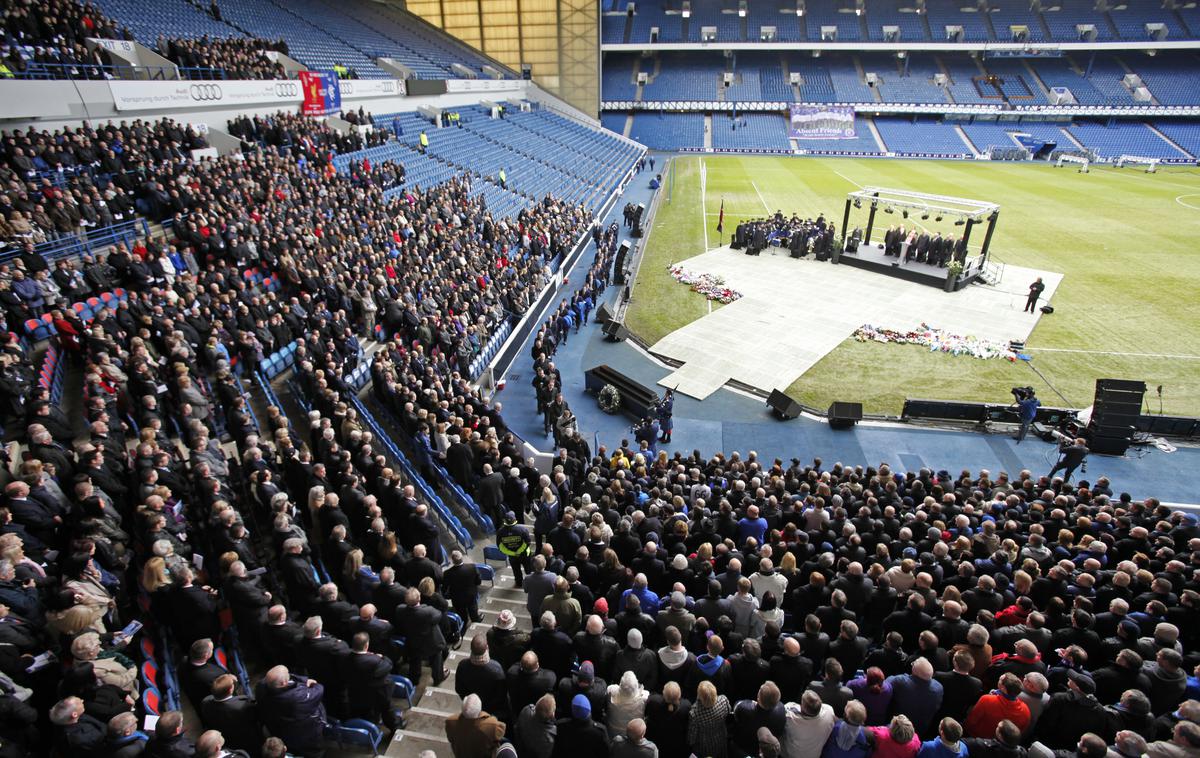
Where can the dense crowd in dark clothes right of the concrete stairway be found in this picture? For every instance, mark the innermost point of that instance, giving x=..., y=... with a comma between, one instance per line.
x=734, y=606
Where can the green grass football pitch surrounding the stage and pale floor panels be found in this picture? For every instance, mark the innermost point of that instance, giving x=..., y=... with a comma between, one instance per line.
x=1127, y=243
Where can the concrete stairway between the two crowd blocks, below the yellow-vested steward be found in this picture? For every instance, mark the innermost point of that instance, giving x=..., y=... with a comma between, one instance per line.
x=425, y=721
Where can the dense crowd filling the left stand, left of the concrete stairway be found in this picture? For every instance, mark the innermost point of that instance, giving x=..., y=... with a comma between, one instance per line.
x=134, y=508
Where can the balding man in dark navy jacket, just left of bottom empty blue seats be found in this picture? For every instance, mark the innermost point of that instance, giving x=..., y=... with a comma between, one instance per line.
x=291, y=709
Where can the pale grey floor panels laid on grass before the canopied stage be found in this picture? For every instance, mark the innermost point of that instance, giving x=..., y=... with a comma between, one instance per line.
x=796, y=311
